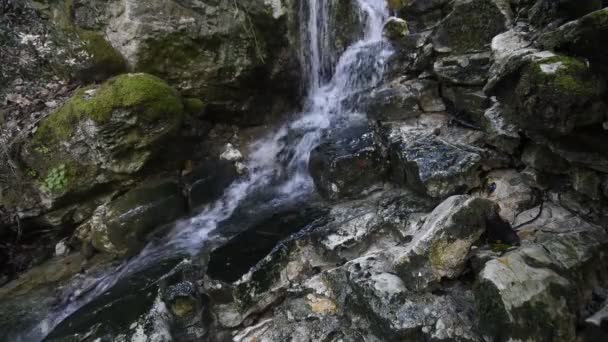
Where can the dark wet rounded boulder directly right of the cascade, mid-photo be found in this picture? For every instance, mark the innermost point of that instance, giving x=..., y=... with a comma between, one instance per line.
x=350, y=163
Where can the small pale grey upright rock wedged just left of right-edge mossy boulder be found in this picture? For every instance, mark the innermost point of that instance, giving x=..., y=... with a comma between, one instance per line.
x=501, y=134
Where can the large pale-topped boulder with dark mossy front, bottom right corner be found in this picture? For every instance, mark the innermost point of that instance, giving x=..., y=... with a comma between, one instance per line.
x=538, y=288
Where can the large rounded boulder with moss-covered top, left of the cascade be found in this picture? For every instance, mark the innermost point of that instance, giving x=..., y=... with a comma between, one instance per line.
x=103, y=134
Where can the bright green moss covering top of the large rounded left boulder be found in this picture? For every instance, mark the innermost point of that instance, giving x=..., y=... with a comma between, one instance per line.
x=149, y=95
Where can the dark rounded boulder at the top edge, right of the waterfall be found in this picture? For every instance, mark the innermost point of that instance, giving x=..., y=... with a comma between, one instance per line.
x=470, y=27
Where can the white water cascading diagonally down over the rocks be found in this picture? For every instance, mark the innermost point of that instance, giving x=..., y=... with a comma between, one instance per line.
x=278, y=164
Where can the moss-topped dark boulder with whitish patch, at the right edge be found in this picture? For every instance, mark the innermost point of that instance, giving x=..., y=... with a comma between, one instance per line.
x=557, y=94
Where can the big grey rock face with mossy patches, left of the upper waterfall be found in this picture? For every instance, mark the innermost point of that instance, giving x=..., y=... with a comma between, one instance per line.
x=231, y=55
